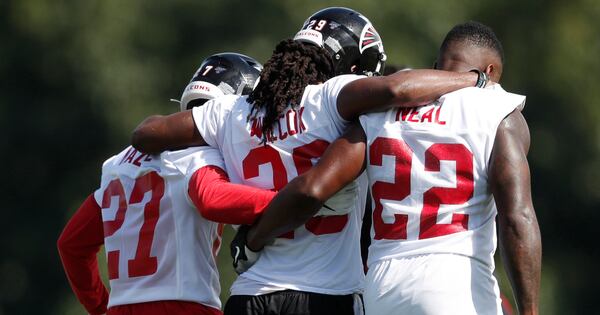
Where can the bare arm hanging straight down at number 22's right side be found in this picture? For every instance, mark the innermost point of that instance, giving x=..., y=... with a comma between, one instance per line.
x=519, y=233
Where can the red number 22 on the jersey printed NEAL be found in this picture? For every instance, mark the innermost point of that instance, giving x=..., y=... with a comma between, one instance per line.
x=432, y=198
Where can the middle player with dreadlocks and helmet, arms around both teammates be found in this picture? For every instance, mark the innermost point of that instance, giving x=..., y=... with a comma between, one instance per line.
x=302, y=103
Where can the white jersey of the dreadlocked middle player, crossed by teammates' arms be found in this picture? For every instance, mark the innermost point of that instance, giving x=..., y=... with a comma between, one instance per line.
x=323, y=256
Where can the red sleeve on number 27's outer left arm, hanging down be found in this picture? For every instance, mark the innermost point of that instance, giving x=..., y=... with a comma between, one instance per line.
x=78, y=245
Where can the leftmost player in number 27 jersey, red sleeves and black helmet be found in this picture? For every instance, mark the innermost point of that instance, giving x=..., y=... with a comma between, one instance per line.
x=160, y=251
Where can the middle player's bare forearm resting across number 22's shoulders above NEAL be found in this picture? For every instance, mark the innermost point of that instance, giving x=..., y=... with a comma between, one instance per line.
x=419, y=87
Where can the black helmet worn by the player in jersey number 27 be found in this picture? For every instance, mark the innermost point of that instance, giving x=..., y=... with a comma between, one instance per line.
x=221, y=74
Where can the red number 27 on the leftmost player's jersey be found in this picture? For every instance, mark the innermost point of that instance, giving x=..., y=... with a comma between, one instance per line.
x=142, y=264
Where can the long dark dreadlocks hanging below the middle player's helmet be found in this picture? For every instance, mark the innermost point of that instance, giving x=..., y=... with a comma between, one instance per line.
x=292, y=67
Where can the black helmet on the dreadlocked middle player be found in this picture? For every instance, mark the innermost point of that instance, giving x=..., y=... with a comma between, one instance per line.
x=349, y=37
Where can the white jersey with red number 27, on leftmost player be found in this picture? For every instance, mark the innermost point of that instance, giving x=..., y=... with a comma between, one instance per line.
x=158, y=247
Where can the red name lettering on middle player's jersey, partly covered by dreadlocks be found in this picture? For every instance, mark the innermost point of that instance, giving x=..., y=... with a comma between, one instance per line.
x=288, y=124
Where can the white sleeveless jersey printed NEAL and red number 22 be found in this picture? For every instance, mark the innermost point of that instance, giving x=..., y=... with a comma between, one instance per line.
x=428, y=175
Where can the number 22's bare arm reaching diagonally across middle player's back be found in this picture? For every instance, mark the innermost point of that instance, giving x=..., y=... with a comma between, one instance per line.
x=298, y=201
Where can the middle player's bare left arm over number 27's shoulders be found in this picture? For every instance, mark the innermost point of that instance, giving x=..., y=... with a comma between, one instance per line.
x=159, y=133
